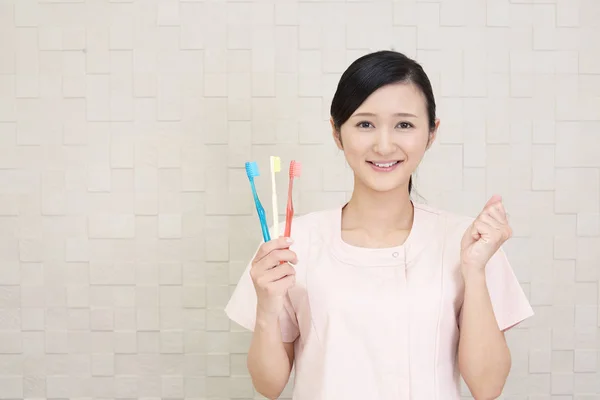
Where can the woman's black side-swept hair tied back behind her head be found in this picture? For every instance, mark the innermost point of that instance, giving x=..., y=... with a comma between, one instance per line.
x=369, y=73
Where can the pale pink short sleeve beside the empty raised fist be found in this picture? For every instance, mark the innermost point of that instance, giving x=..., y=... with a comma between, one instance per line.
x=508, y=299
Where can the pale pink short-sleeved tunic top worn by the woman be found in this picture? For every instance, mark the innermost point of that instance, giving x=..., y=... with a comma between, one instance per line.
x=380, y=323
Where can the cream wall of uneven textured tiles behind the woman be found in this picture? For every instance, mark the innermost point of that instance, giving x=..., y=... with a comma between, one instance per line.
x=126, y=218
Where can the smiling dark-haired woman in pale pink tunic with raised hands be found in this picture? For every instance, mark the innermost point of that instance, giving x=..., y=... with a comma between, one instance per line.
x=382, y=298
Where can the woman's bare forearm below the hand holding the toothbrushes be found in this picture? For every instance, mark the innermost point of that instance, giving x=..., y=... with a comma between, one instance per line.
x=270, y=360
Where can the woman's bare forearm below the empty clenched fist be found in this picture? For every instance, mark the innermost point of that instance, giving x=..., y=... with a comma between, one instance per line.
x=483, y=355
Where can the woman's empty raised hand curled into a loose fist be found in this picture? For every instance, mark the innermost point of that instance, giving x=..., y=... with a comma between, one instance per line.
x=485, y=236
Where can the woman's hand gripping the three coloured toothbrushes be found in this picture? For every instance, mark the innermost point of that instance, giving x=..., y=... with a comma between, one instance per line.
x=272, y=278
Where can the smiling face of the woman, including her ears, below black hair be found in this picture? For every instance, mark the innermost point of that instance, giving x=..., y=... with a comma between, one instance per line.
x=386, y=137
